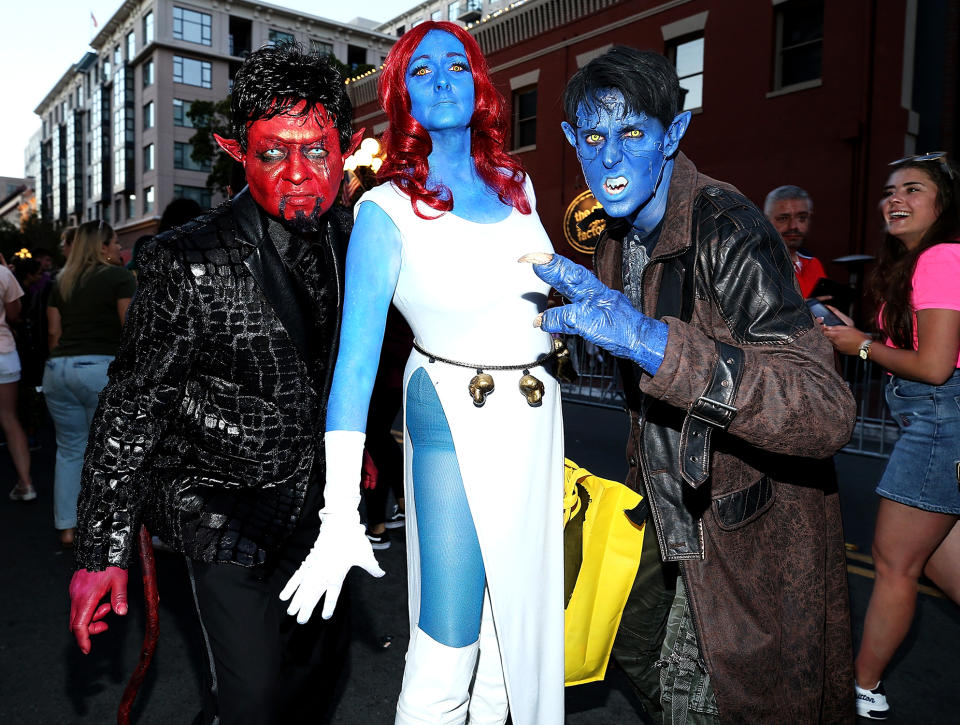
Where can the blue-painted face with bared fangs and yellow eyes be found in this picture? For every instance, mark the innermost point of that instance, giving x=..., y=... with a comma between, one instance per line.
x=621, y=153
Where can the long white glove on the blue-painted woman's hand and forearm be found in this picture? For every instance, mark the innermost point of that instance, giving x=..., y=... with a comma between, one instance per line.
x=342, y=543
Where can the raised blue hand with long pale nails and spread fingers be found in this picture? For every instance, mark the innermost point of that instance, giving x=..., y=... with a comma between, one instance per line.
x=601, y=315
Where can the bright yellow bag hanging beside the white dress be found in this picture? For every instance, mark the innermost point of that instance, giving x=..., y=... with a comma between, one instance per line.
x=601, y=556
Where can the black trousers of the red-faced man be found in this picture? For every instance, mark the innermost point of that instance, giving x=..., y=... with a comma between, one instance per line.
x=263, y=667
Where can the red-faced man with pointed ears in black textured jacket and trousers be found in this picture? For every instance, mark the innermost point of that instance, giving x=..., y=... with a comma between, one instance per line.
x=211, y=428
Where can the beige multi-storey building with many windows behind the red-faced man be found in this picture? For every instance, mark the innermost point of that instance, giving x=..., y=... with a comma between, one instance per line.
x=115, y=132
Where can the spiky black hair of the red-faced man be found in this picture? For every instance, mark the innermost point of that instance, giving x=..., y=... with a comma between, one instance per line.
x=275, y=78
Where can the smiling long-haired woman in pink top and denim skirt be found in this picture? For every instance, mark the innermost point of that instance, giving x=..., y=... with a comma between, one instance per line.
x=916, y=286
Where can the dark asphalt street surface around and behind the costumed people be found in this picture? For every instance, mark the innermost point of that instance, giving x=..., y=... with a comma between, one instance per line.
x=44, y=679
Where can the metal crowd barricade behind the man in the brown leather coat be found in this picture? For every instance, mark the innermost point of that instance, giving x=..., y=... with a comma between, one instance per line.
x=874, y=434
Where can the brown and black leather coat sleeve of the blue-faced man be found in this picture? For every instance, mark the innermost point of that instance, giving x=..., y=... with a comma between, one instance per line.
x=788, y=397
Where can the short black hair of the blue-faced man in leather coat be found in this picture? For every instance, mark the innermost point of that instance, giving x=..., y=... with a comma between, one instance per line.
x=647, y=80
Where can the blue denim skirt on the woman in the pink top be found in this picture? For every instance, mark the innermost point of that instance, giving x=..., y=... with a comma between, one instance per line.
x=924, y=467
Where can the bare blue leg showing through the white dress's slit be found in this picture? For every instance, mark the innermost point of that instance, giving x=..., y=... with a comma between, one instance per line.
x=452, y=576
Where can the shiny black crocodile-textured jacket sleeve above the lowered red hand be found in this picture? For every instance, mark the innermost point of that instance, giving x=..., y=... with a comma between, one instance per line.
x=146, y=381
